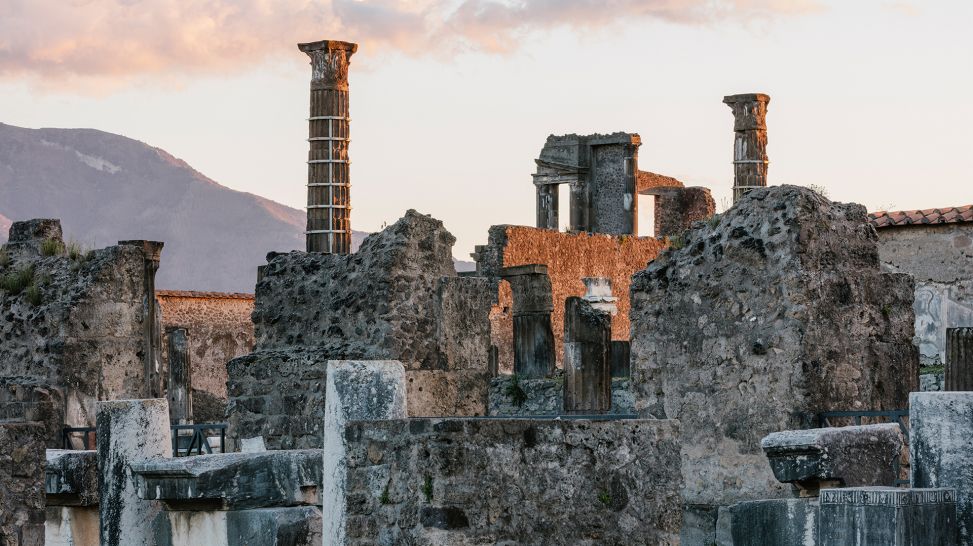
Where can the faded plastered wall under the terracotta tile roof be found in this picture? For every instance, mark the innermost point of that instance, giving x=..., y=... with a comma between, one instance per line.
x=940, y=257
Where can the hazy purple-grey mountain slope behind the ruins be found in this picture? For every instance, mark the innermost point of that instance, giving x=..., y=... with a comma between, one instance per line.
x=106, y=188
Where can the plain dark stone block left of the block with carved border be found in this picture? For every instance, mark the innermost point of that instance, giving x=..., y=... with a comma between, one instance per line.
x=772, y=522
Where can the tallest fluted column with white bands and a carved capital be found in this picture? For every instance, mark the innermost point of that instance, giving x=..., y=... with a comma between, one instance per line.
x=328, y=181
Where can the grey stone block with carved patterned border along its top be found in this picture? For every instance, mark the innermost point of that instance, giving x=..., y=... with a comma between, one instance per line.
x=887, y=516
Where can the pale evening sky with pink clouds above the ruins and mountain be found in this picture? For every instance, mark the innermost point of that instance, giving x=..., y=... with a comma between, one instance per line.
x=451, y=100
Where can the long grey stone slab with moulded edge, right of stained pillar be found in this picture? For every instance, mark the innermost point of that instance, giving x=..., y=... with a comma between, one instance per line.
x=232, y=481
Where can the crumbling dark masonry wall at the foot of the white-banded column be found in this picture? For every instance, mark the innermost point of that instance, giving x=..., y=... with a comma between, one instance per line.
x=397, y=298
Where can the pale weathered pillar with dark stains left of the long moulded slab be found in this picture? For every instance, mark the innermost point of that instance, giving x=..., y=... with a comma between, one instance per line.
x=127, y=431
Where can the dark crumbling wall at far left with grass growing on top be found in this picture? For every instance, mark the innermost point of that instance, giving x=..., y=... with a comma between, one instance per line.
x=72, y=320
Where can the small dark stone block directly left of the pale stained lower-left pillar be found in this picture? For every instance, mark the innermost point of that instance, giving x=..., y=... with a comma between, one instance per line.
x=71, y=477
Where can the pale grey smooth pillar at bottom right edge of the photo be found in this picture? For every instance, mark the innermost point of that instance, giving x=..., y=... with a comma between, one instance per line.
x=941, y=449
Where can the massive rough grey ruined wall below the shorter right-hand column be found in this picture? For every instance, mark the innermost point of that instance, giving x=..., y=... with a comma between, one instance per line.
x=773, y=313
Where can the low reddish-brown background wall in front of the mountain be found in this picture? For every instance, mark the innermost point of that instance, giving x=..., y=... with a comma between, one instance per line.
x=219, y=329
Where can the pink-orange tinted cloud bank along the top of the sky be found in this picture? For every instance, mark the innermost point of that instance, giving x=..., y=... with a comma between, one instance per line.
x=111, y=40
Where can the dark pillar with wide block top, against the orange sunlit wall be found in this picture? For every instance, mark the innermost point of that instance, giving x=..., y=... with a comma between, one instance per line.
x=532, y=306
